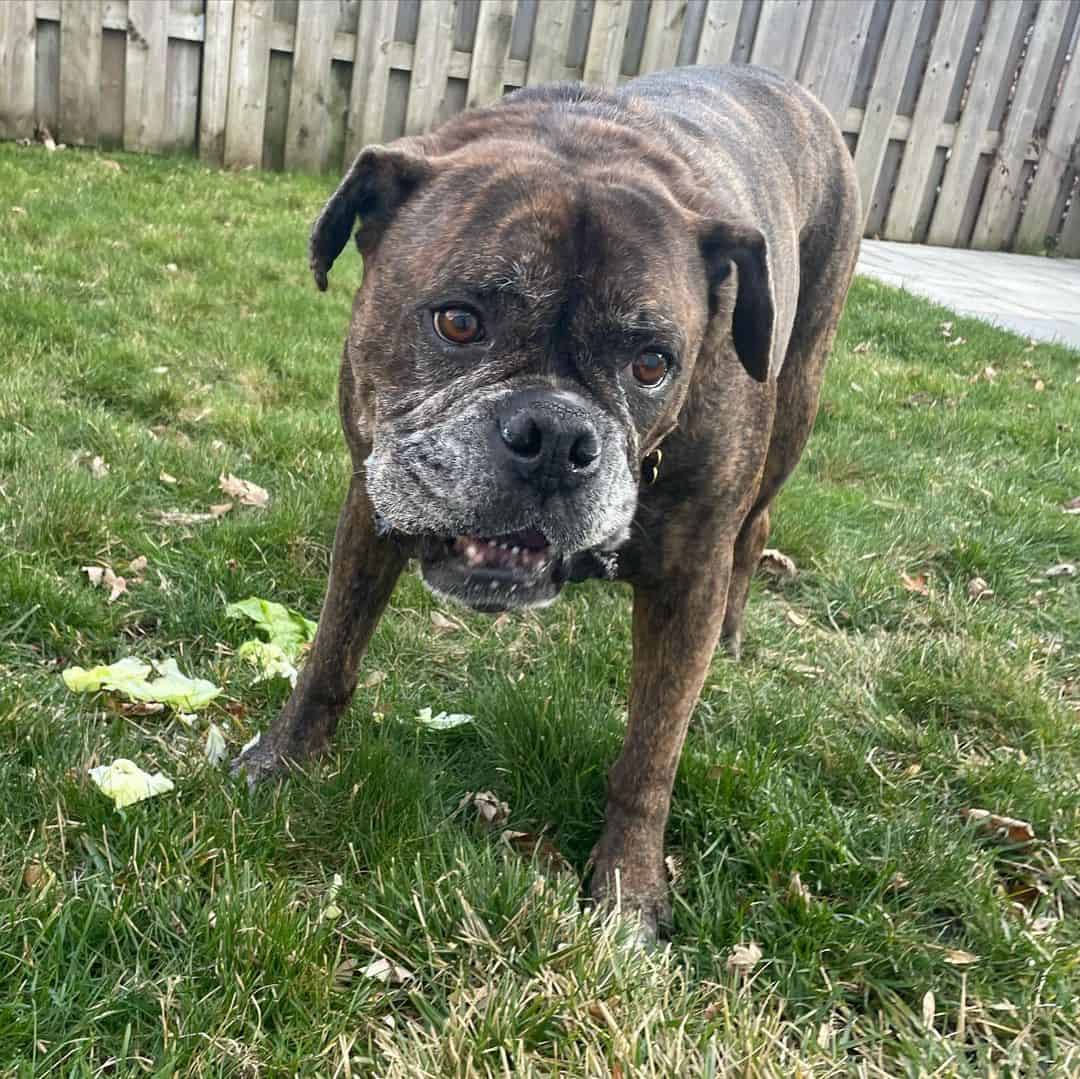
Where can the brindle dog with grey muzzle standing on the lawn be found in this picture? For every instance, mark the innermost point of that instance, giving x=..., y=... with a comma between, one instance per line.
x=589, y=343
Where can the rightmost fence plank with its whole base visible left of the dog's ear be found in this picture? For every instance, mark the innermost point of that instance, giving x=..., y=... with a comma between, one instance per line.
x=307, y=133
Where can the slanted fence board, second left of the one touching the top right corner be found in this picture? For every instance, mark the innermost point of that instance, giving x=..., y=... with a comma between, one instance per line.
x=910, y=199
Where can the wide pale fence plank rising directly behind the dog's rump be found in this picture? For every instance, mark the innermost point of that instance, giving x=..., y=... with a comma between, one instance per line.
x=831, y=59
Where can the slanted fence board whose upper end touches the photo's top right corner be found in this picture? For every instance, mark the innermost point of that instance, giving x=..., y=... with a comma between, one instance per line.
x=1006, y=185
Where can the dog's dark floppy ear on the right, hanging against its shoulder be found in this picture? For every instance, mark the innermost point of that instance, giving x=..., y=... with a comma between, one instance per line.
x=753, y=325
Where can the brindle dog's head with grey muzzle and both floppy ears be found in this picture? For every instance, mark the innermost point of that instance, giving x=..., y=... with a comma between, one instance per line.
x=524, y=333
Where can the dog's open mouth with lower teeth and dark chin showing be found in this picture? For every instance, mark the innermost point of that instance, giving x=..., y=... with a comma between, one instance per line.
x=494, y=573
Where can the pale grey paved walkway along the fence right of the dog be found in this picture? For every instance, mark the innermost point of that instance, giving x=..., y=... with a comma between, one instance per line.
x=1031, y=295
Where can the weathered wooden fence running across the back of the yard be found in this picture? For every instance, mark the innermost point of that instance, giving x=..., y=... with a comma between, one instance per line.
x=963, y=116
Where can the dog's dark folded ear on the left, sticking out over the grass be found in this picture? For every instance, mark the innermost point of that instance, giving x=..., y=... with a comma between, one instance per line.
x=381, y=180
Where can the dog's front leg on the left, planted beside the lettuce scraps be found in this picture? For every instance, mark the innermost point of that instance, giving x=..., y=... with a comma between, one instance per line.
x=363, y=571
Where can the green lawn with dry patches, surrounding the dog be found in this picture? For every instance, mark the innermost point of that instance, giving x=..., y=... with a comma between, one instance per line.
x=160, y=317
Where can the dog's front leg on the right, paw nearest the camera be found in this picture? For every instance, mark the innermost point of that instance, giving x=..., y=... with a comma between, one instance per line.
x=677, y=628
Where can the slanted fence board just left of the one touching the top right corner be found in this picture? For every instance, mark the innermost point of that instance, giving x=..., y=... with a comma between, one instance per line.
x=1003, y=39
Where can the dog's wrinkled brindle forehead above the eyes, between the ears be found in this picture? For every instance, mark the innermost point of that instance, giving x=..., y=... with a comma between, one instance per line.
x=617, y=246
